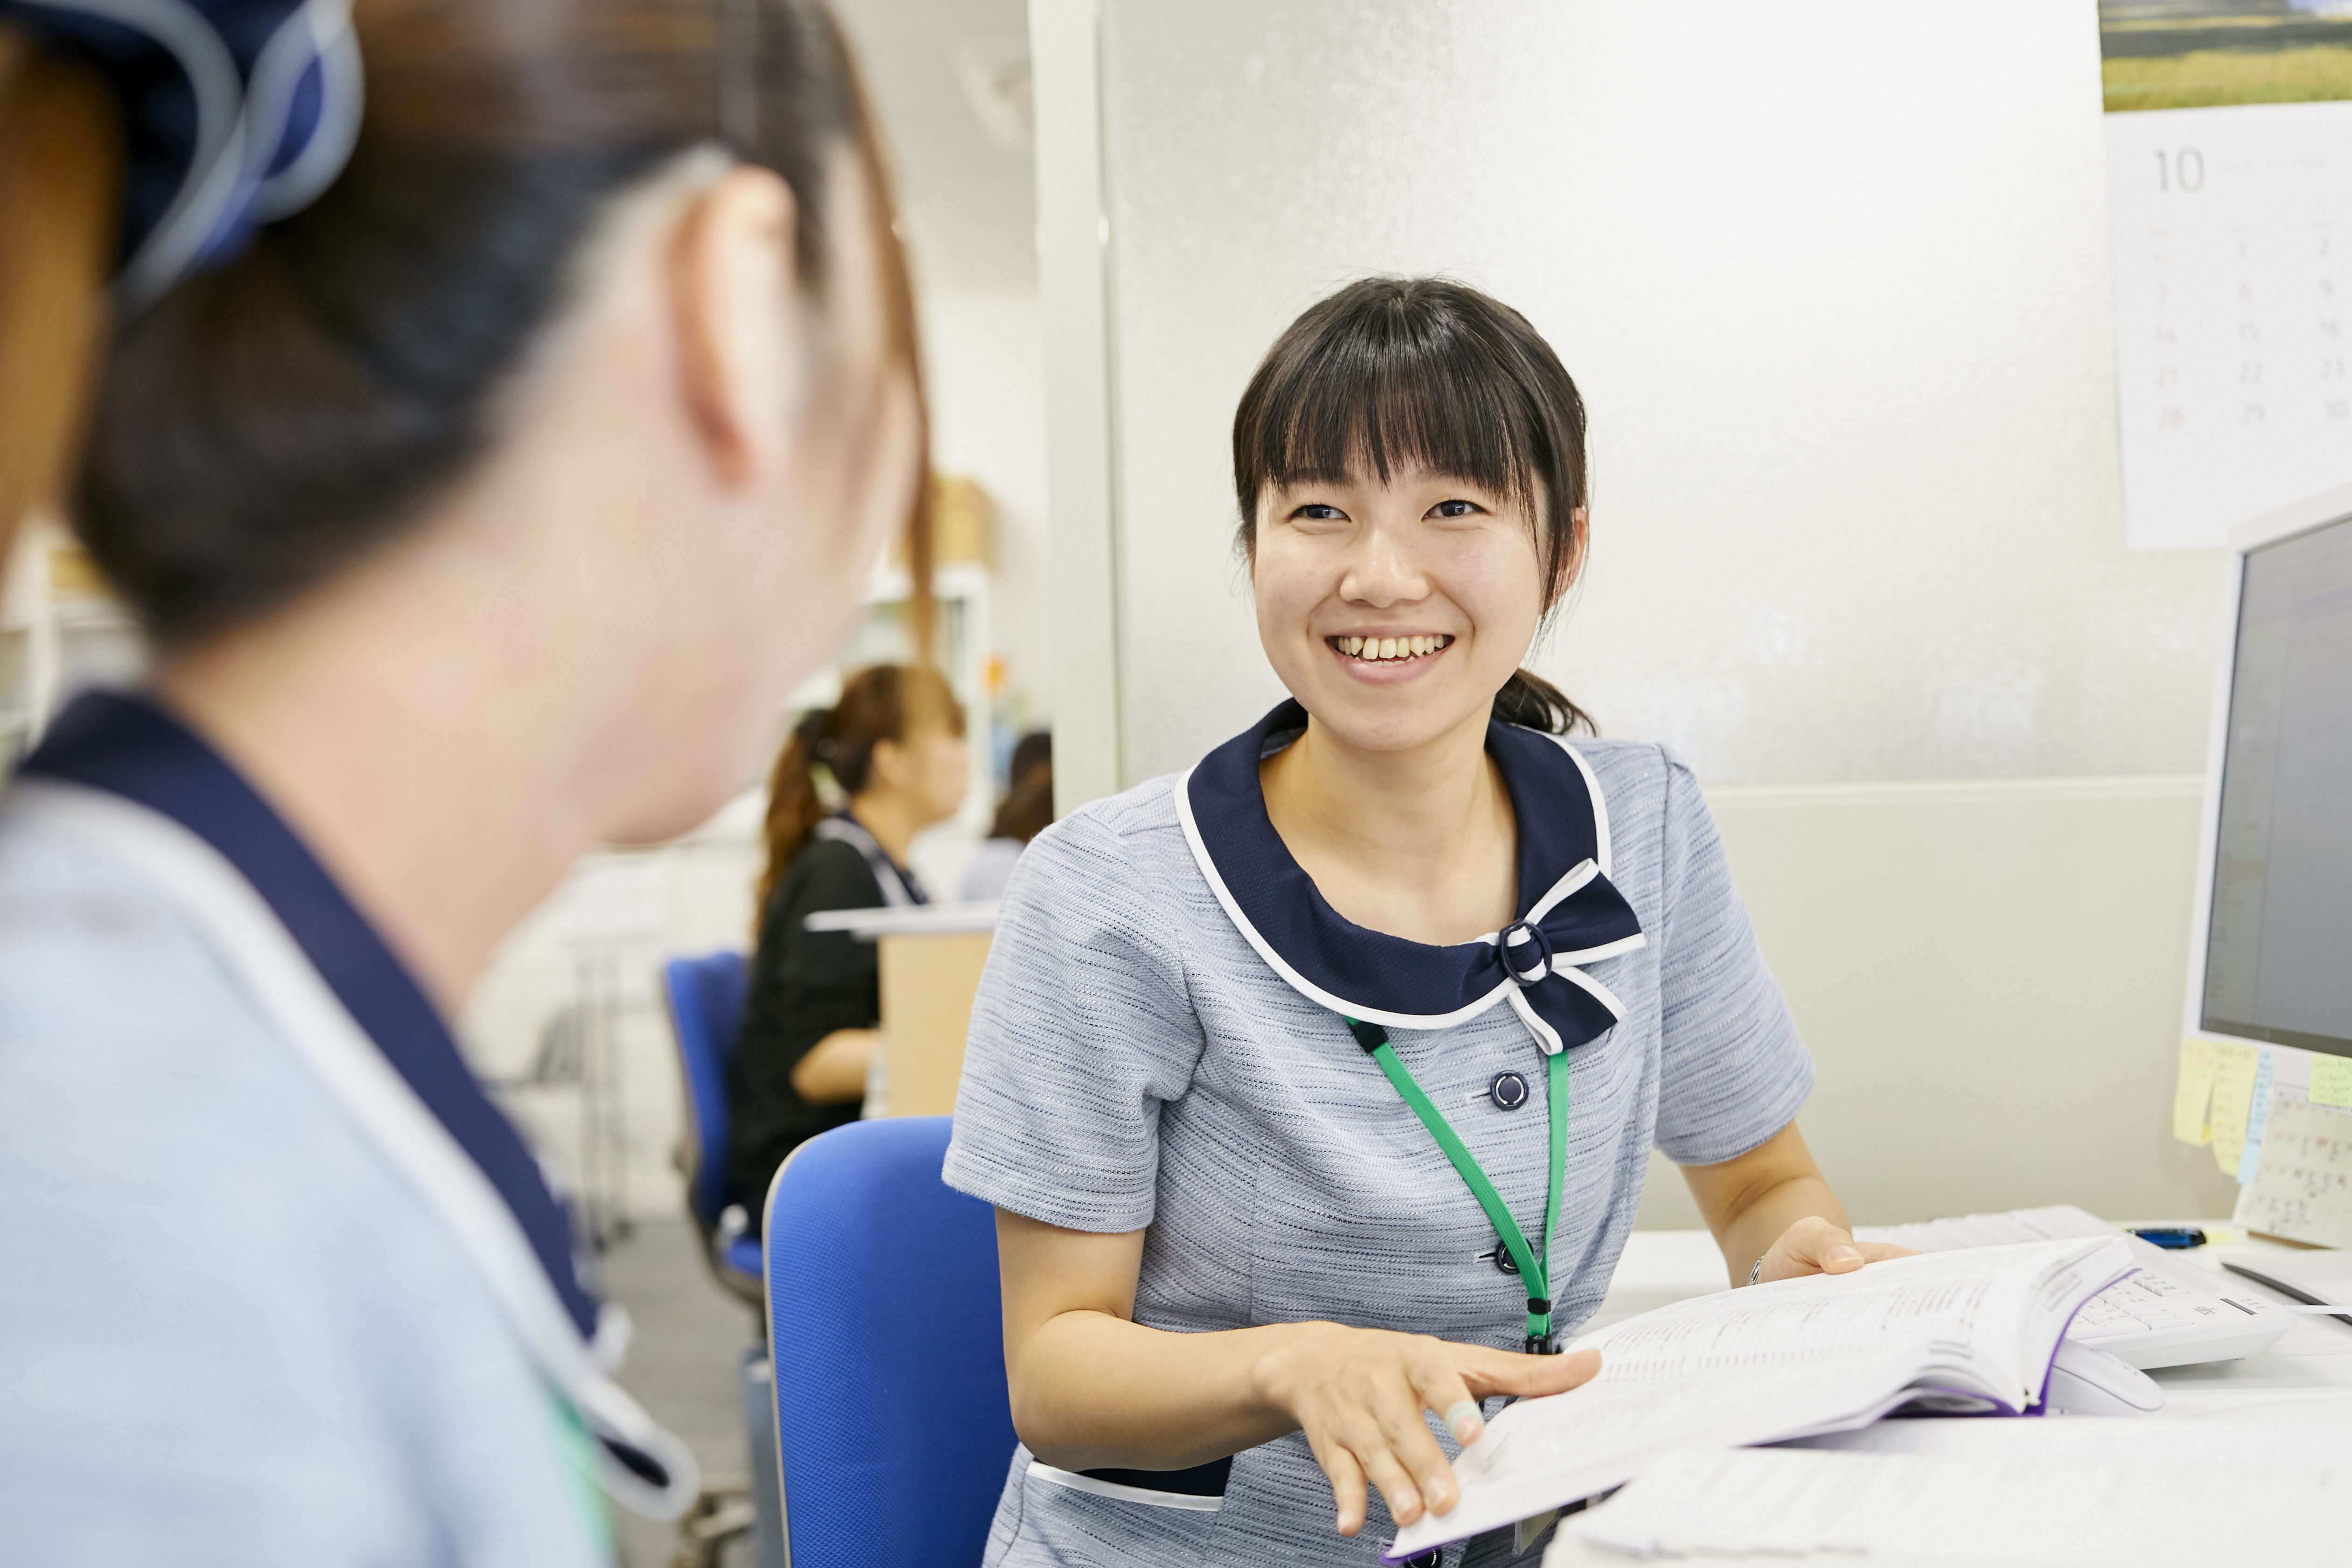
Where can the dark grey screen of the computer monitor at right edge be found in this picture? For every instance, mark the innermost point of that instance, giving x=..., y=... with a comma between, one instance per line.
x=2280, y=932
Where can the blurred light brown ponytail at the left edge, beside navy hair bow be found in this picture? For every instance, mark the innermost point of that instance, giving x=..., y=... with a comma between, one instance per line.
x=60, y=177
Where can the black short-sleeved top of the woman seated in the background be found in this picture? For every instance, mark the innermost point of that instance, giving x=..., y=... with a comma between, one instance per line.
x=803, y=986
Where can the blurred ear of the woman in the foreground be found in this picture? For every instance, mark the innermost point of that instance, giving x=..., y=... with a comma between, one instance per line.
x=742, y=340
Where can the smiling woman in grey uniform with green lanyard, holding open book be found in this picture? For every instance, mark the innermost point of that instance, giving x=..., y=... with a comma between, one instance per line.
x=1255, y=1068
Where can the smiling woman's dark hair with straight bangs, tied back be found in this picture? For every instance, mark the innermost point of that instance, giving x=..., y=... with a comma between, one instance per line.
x=1401, y=373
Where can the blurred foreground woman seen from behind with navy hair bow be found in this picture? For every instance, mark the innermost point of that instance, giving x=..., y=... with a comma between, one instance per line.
x=481, y=497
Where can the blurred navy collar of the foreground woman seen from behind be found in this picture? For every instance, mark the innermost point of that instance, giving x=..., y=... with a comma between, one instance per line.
x=133, y=749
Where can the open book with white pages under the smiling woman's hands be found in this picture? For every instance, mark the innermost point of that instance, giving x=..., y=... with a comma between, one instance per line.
x=1956, y=1334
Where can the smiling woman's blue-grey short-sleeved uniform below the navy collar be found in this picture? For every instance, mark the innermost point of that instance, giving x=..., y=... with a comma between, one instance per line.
x=1140, y=1061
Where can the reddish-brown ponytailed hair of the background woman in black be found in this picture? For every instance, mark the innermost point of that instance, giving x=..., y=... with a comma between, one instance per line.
x=878, y=704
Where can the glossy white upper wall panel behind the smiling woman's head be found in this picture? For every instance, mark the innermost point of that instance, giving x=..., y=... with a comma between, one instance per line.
x=1833, y=276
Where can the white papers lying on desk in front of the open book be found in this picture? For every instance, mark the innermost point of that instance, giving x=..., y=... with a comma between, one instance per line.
x=2019, y=1494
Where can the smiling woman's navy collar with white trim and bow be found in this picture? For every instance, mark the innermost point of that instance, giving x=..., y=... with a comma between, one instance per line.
x=1568, y=911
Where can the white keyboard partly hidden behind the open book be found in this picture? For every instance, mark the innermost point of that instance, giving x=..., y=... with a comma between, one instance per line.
x=2167, y=1315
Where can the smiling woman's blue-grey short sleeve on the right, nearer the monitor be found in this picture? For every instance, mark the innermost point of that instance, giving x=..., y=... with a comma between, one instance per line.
x=1732, y=1066
